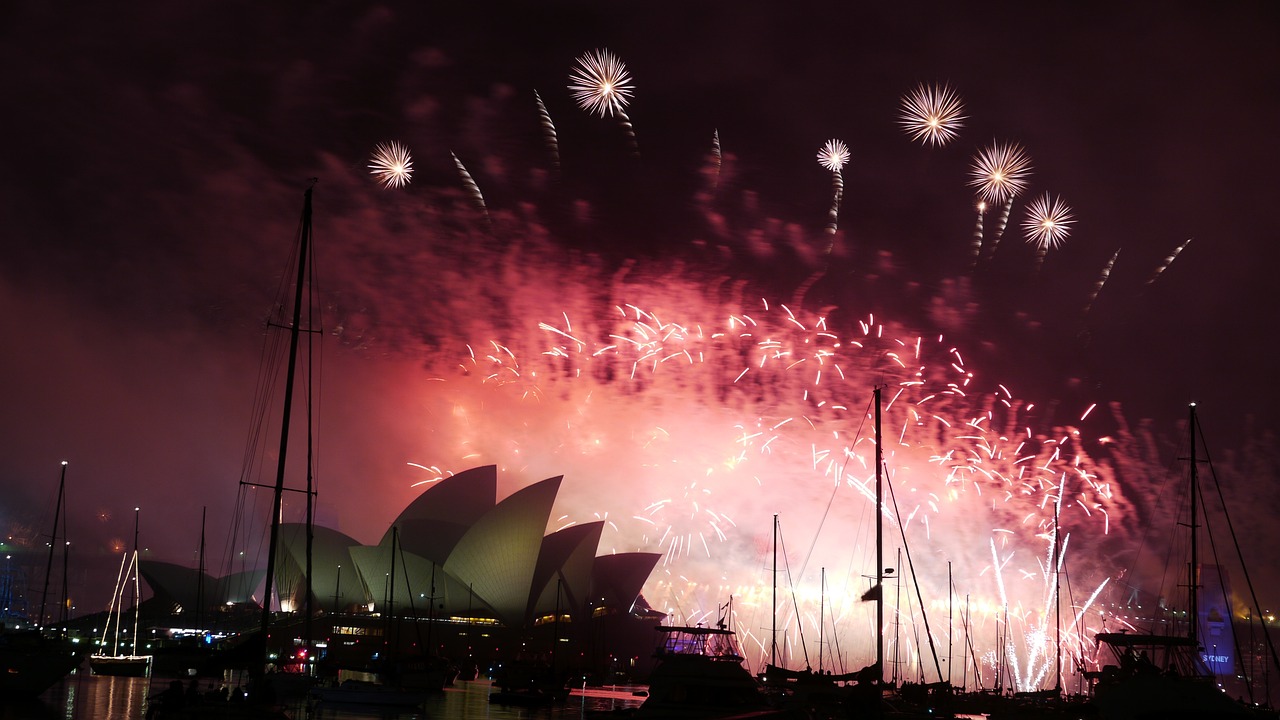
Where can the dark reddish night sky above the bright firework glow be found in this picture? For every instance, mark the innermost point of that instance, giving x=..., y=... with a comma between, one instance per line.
x=156, y=161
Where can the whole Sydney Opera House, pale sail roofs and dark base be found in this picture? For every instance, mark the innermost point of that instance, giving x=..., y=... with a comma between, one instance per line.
x=481, y=578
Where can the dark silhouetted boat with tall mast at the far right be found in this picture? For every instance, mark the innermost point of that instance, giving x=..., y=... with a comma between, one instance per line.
x=1167, y=676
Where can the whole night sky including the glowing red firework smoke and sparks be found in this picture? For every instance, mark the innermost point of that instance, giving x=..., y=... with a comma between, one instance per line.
x=684, y=352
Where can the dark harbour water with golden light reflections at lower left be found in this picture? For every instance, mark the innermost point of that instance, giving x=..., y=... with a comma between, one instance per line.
x=85, y=696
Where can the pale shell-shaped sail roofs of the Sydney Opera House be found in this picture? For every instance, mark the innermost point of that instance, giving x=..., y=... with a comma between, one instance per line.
x=459, y=549
